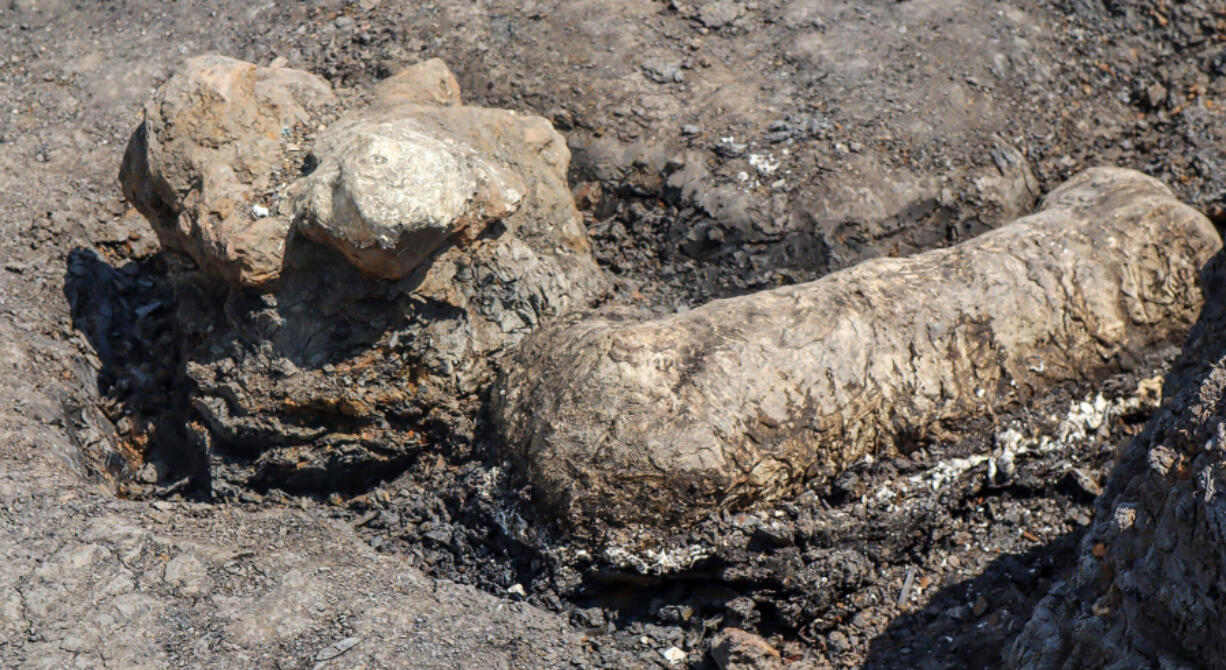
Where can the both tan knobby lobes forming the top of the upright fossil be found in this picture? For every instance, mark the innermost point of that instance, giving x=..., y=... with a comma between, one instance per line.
x=395, y=182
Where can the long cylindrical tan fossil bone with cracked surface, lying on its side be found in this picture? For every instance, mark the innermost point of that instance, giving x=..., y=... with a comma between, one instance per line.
x=747, y=399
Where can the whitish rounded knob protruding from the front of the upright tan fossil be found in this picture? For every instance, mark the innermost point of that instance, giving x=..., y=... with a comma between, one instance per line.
x=390, y=192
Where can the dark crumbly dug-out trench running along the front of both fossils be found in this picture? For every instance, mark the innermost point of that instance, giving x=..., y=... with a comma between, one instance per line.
x=899, y=583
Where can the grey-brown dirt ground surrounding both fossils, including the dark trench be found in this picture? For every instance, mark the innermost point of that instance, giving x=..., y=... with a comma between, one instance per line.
x=718, y=148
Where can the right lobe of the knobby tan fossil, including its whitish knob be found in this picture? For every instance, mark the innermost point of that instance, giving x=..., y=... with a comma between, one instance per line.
x=417, y=172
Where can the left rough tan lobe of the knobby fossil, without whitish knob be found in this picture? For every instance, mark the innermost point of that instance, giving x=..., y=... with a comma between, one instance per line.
x=202, y=163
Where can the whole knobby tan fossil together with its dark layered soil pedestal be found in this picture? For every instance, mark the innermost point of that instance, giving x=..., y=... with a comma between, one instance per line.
x=428, y=237
